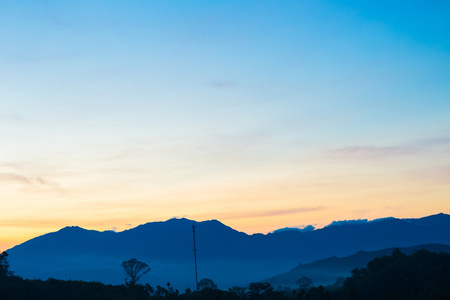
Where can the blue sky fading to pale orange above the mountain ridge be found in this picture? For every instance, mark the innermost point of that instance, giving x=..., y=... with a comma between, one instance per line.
x=260, y=114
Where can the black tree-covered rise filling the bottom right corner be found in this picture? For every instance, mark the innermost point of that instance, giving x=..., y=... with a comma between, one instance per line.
x=421, y=275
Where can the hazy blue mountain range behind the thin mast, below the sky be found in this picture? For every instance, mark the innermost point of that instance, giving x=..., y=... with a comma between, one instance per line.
x=227, y=256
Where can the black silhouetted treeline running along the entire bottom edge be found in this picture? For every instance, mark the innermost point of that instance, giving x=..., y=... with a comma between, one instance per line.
x=421, y=275
